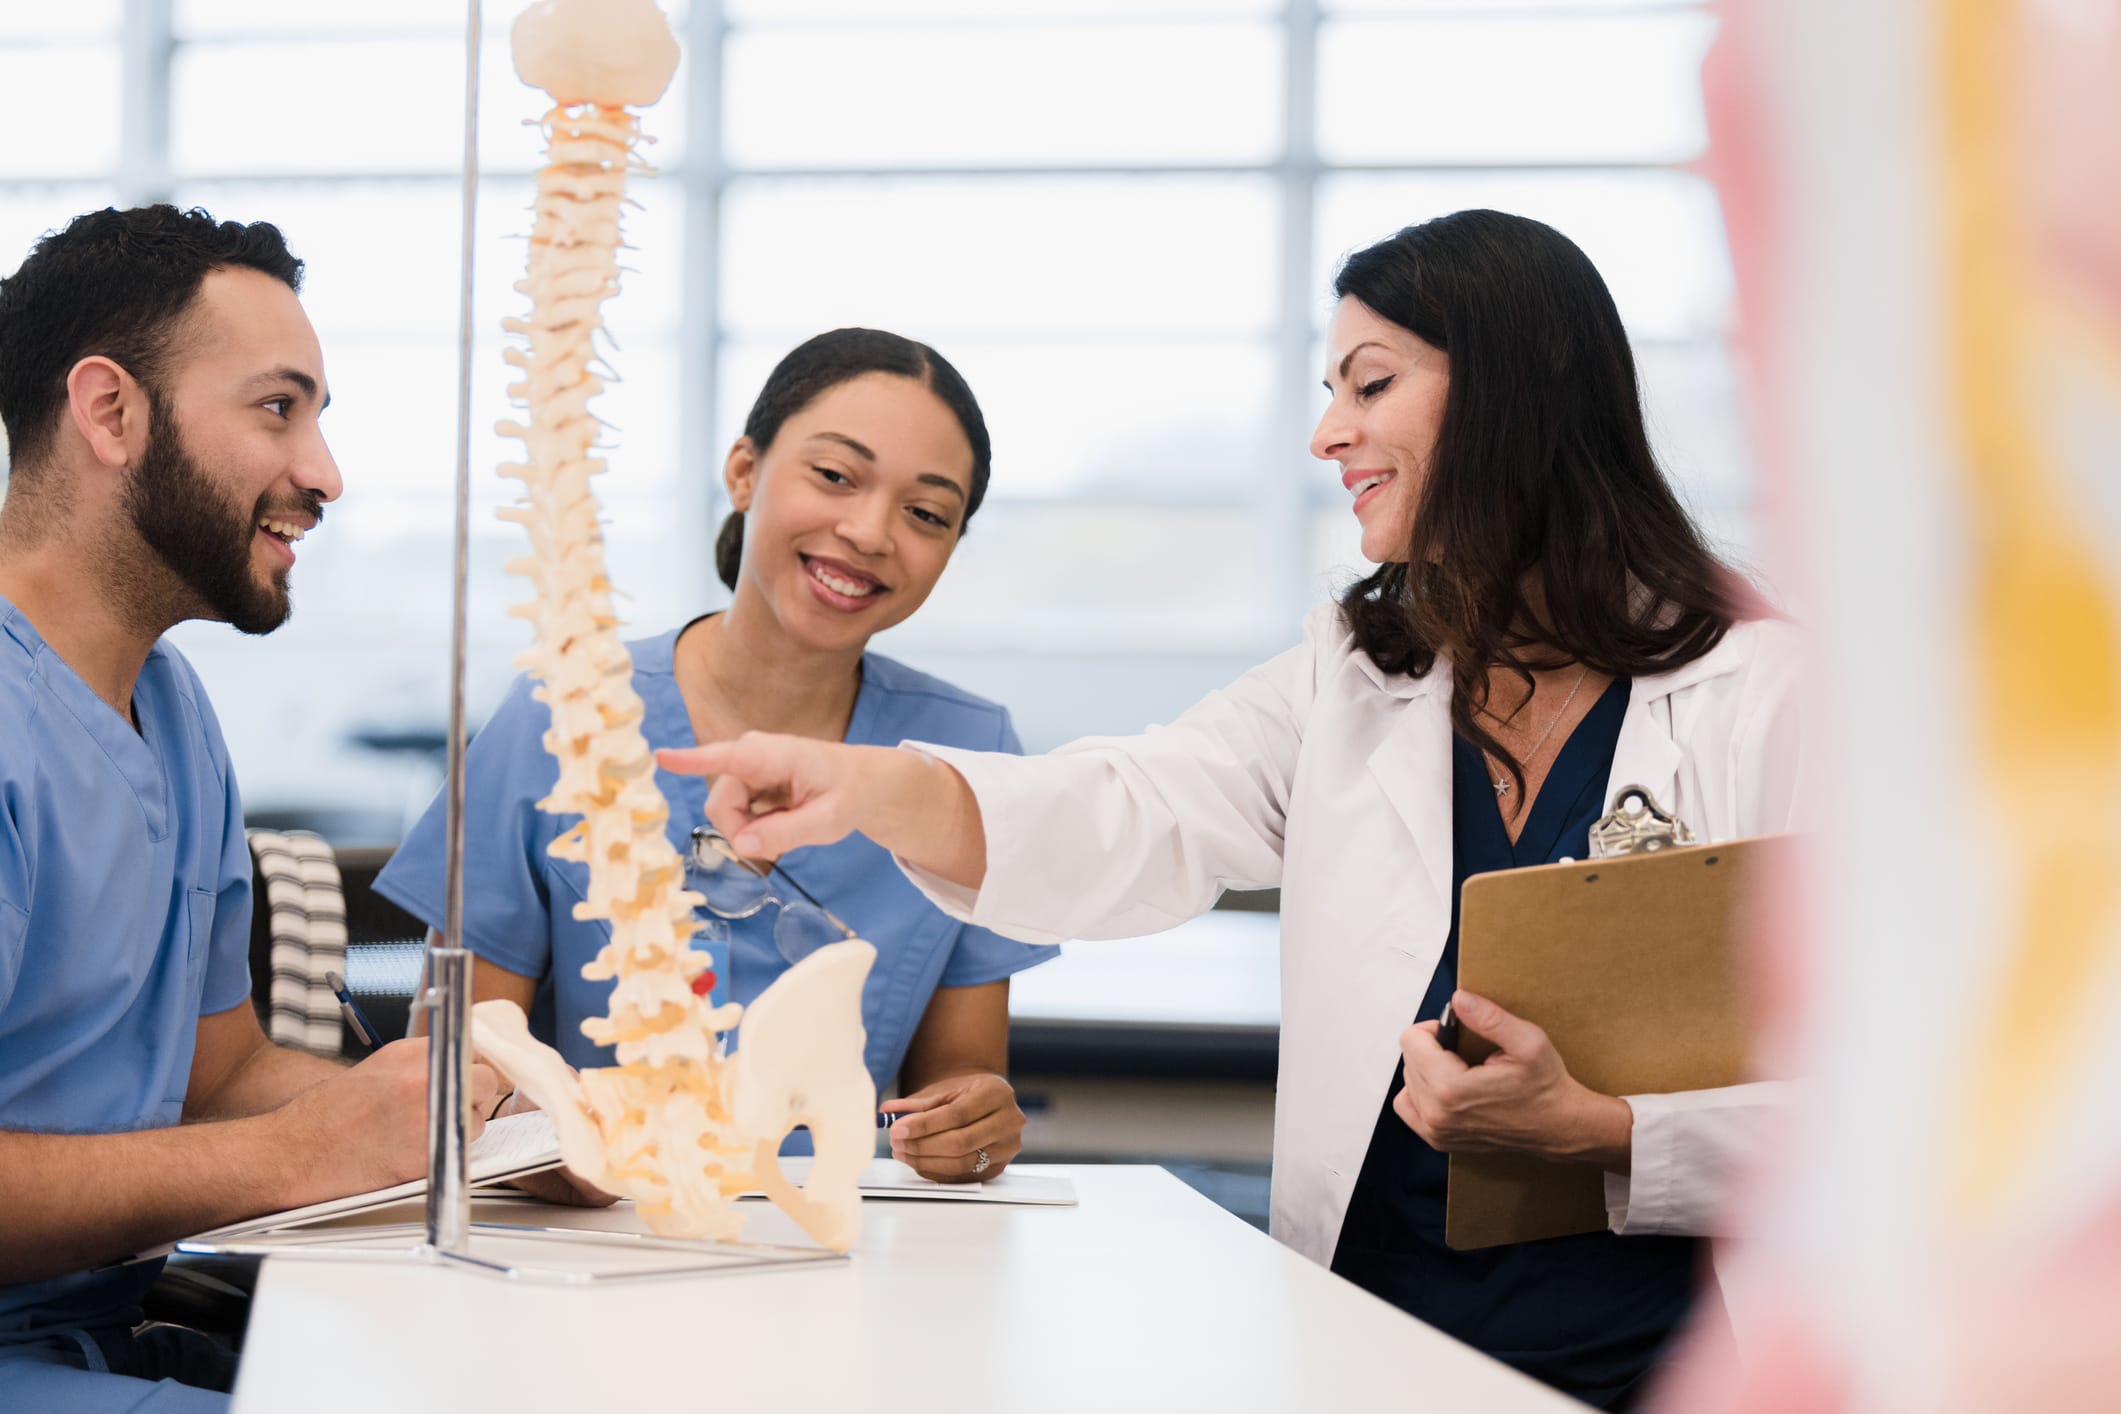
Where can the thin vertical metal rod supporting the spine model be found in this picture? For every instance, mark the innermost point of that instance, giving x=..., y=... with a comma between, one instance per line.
x=449, y=1000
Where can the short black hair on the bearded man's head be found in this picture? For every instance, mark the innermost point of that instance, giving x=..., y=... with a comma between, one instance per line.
x=118, y=285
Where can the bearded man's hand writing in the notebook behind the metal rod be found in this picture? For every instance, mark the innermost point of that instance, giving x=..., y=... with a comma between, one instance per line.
x=366, y=1127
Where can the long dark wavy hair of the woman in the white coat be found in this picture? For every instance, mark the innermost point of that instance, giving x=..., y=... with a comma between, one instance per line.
x=1543, y=476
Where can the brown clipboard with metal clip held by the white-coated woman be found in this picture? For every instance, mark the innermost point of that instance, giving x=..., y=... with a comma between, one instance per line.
x=1632, y=964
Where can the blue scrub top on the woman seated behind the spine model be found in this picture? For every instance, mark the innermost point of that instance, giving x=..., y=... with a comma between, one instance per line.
x=521, y=900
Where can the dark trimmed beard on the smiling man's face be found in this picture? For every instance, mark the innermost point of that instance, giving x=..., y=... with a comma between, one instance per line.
x=200, y=533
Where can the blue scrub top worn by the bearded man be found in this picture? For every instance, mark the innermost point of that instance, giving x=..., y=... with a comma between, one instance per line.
x=124, y=919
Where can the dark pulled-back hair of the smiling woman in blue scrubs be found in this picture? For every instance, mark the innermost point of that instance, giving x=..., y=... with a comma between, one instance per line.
x=843, y=355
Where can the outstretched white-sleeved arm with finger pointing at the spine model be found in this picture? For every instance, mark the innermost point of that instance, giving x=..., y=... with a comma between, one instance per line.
x=1100, y=838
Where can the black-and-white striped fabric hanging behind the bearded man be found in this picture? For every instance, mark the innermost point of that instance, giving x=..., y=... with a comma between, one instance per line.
x=309, y=936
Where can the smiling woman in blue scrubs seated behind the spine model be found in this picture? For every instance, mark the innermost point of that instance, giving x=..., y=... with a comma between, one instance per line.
x=860, y=467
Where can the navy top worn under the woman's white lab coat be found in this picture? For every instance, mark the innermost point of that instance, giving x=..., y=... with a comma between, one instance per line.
x=1592, y=1313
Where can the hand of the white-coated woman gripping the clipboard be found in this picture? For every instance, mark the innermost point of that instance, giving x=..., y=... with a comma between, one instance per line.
x=1518, y=1101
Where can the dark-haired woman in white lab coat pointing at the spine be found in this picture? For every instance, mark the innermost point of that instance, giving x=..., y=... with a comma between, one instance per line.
x=1545, y=626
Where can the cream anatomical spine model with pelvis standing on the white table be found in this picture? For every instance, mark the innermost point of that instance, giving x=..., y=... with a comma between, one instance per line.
x=676, y=1125
